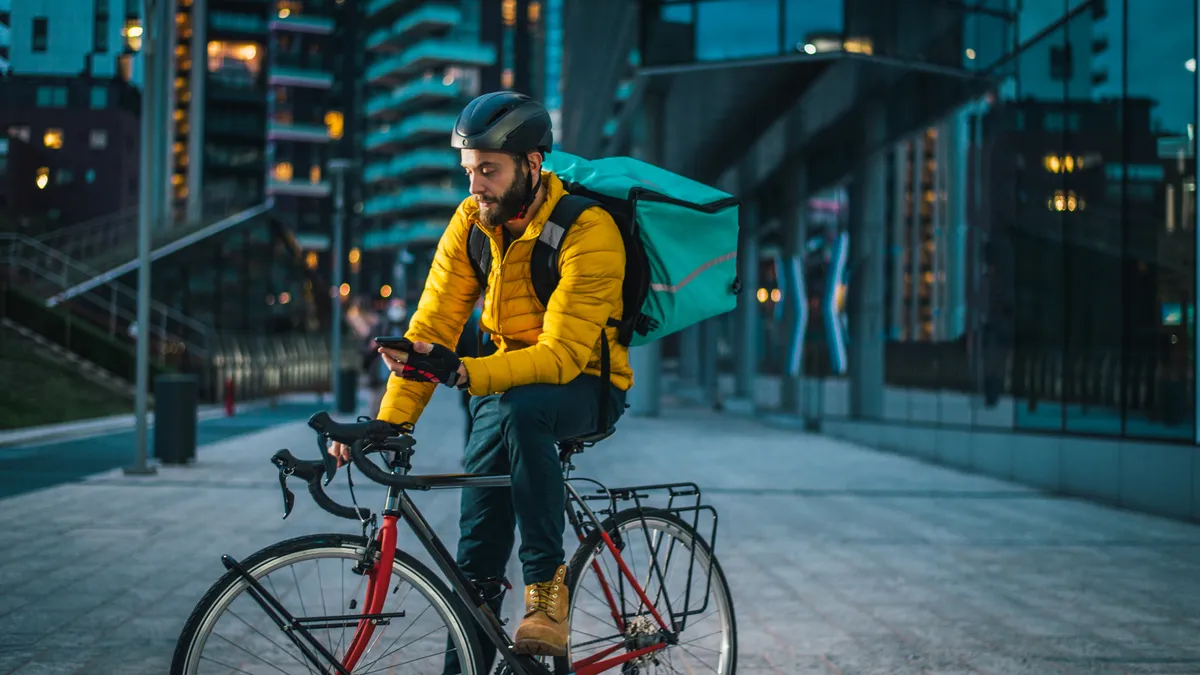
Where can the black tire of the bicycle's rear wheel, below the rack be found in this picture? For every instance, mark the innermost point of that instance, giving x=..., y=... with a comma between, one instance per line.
x=614, y=525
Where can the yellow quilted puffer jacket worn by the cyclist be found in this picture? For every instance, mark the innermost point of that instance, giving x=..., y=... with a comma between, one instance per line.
x=537, y=345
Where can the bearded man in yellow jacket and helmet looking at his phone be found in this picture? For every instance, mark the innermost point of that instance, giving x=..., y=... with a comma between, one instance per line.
x=542, y=385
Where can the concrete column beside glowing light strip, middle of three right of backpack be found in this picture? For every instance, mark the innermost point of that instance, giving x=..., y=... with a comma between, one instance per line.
x=795, y=228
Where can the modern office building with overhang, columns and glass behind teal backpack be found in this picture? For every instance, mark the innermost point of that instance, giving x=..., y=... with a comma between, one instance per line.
x=998, y=246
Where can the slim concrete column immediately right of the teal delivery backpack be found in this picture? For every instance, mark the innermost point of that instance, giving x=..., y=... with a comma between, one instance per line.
x=747, y=322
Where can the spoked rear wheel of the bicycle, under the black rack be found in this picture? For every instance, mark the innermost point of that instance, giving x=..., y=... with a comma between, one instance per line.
x=680, y=576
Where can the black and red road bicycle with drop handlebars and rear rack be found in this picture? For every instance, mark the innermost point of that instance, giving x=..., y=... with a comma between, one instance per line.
x=649, y=634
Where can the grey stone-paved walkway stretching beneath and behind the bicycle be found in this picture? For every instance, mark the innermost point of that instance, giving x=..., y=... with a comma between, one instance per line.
x=842, y=560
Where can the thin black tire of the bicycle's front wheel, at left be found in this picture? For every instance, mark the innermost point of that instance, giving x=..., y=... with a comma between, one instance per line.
x=333, y=542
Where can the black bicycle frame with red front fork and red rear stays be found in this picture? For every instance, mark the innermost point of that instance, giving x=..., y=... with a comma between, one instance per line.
x=400, y=505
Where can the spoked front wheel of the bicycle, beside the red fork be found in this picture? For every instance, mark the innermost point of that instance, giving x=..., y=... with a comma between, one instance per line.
x=313, y=578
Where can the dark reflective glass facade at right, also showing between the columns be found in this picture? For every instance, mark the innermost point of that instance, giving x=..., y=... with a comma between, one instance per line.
x=1041, y=241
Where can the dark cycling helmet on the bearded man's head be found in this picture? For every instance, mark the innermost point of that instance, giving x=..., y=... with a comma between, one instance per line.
x=503, y=121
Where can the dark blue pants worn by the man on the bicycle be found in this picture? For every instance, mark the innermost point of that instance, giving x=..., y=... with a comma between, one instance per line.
x=517, y=433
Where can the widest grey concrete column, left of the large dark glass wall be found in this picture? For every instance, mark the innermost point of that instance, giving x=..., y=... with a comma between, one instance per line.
x=867, y=282
